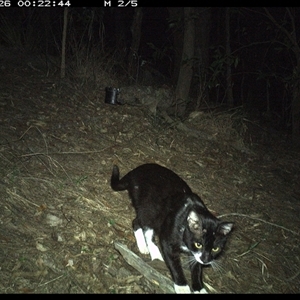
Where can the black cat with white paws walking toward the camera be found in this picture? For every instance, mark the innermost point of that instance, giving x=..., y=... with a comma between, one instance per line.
x=166, y=206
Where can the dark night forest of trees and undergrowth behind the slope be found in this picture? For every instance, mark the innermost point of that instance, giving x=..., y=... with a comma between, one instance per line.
x=253, y=63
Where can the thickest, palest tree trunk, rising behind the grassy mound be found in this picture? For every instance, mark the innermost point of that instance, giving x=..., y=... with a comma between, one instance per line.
x=186, y=69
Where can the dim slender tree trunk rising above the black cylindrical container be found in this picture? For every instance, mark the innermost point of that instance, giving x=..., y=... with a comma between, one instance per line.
x=133, y=63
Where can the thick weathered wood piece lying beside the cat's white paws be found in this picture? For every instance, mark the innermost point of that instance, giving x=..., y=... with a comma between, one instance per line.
x=164, y=283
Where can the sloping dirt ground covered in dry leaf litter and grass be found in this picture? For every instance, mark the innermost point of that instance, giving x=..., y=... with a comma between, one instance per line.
x=59, y=218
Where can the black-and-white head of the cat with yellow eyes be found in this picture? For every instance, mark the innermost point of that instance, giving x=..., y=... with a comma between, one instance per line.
x=205, y=236
